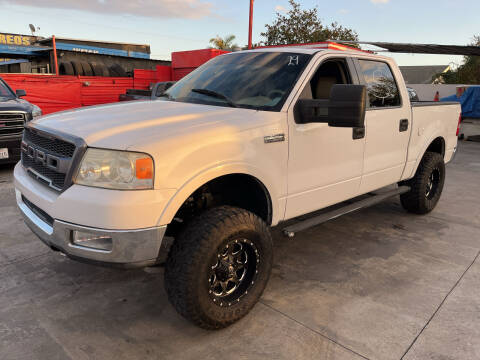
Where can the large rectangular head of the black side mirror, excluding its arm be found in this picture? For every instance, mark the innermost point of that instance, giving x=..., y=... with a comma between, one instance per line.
x=347, y=106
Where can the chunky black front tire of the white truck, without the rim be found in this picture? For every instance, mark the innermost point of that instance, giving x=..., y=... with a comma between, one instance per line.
x=195, y=250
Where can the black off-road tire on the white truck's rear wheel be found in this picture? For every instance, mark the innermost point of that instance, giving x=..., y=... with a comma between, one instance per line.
x=418, y=200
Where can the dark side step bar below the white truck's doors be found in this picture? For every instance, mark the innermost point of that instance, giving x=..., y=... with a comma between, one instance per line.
x=320, y=219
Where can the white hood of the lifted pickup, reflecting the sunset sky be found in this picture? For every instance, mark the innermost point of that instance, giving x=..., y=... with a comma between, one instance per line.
x=123, y=125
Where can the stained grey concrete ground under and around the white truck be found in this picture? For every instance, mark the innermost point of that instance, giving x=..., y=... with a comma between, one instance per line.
x=376, y=284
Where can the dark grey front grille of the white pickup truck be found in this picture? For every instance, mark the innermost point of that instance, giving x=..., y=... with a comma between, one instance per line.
x=47, y=158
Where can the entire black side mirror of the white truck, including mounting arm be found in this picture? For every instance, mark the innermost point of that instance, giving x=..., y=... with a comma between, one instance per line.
x=345, y=108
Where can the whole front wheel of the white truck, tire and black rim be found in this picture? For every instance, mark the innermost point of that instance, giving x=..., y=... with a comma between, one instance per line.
x=219, y=266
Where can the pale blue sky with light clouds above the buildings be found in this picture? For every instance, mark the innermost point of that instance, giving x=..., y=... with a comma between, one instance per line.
x=175, y=25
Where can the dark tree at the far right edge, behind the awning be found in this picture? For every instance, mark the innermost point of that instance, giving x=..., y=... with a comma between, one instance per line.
x=468, y=72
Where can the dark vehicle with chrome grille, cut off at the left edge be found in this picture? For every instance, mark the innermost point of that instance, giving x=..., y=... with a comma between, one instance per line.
x=14, y=113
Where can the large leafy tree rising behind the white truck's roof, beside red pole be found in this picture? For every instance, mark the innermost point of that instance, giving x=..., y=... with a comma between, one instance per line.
x=299, y=26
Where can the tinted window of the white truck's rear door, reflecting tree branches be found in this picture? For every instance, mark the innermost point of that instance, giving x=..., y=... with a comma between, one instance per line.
x=381, y=85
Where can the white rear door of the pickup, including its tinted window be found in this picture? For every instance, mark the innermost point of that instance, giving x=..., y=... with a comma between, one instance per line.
x=387, y=123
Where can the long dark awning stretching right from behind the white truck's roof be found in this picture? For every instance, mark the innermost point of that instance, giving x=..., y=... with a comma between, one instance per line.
x=467, y=50
